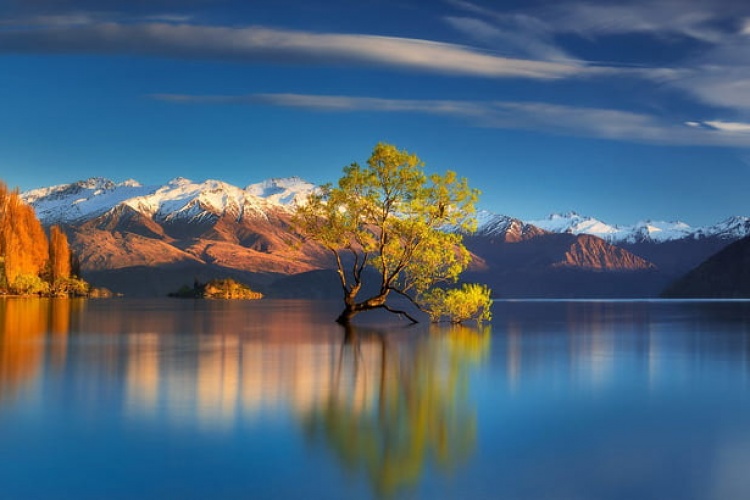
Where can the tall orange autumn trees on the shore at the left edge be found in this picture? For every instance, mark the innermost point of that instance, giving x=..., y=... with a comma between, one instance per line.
x=31, y=262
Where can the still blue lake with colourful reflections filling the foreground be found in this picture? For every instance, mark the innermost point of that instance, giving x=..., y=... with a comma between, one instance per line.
x=271, y=399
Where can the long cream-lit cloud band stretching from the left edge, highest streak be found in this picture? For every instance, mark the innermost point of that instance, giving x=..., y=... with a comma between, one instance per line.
x=268, y=44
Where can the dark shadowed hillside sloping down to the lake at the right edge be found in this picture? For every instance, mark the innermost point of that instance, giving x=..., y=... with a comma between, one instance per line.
x=724, y=275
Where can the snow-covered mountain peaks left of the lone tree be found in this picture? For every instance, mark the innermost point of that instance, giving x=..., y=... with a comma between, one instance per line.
x=179, y=199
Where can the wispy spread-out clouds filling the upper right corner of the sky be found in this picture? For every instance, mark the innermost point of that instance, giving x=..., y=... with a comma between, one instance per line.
x=716, y=72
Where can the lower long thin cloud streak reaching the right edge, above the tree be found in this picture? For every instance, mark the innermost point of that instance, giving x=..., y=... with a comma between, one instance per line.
x=558, y=119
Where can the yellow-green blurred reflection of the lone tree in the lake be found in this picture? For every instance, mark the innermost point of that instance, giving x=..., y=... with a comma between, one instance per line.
x=405, y=406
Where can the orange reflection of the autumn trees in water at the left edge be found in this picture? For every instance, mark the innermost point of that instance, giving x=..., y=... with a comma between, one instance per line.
x=24, y=323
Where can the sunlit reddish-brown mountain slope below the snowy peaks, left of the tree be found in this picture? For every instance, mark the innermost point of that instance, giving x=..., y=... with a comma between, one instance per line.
x=133, y=254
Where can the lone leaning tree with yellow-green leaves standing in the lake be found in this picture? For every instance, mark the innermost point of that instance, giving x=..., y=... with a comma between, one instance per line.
x=407, y=226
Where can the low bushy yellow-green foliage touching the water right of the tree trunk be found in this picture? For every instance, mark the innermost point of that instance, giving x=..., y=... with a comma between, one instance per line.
x=470, y=302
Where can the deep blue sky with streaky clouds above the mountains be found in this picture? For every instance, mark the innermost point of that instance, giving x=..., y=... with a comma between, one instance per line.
x=619, y=110
